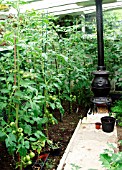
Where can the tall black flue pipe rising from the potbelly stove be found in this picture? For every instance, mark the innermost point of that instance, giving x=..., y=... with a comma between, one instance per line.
x=99, y=20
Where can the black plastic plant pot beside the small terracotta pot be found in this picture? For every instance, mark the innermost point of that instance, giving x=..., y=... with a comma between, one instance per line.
x=108, y=124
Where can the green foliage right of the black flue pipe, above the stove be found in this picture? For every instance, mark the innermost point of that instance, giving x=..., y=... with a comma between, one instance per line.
x=113, y=44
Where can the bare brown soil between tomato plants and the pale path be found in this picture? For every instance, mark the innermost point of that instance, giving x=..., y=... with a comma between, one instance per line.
x=62, y=133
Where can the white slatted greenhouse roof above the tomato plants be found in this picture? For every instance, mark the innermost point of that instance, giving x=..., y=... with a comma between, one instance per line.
x=63, y=7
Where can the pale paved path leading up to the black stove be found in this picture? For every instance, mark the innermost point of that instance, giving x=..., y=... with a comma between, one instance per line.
x=86, y=144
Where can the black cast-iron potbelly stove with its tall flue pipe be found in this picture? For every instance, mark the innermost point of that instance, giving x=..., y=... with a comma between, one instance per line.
x=100, y=84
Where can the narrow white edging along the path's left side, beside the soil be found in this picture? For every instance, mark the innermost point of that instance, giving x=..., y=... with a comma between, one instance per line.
x=61, y=163
